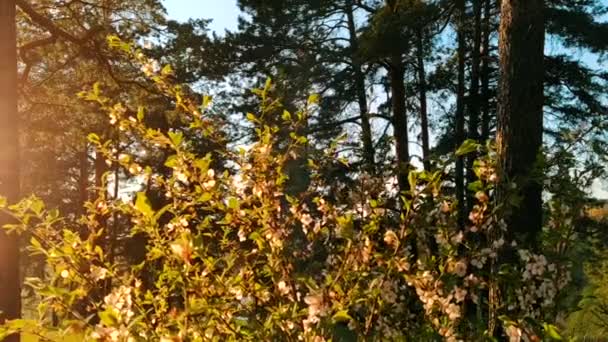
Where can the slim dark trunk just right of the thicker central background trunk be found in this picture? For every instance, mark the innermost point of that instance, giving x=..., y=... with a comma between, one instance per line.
x=424, y=120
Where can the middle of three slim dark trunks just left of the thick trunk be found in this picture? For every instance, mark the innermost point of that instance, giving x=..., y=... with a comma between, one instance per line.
x=473, y=129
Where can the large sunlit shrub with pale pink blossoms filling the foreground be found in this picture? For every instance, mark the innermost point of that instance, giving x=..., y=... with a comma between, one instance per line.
x=230, y=254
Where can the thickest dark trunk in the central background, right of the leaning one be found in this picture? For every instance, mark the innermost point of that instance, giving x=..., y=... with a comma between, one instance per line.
x=397, y=77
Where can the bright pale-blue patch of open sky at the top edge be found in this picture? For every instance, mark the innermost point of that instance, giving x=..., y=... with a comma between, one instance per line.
x=223, y=12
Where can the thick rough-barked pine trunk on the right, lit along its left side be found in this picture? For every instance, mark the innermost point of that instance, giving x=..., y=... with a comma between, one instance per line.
x=520, y=111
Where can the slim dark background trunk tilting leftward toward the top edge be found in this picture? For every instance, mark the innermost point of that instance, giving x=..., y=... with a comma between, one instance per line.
x=366, y=128
